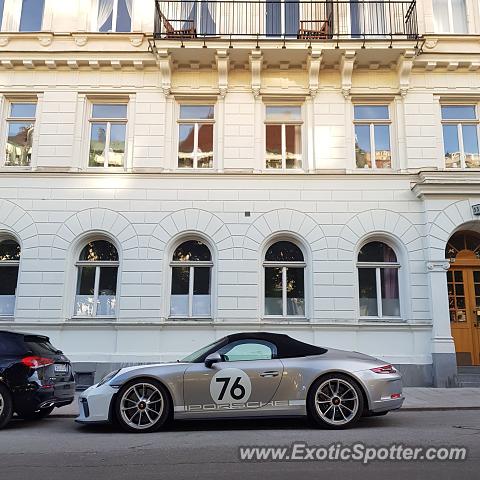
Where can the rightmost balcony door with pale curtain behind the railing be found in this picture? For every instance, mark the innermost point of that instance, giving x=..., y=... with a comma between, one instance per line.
x=368, y=18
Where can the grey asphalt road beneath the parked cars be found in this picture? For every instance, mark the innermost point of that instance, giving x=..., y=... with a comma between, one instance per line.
x=57, y=448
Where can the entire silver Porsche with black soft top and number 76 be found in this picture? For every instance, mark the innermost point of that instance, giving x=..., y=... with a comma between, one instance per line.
x=247, y=375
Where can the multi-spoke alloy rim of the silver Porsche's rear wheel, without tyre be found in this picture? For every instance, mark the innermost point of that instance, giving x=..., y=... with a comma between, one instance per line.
x=336, y=401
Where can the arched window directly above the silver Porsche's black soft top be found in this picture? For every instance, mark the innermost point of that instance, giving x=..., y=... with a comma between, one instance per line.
x=284, y=267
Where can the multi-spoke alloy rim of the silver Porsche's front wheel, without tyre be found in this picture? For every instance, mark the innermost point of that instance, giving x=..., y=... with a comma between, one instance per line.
x=142, y=406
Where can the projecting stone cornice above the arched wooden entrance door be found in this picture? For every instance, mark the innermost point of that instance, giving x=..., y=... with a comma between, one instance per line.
x=447, y=183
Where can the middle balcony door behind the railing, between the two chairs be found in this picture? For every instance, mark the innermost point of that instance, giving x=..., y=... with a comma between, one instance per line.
x=282, y=18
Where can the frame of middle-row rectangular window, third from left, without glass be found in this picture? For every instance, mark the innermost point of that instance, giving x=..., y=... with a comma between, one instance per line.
x=196, y=122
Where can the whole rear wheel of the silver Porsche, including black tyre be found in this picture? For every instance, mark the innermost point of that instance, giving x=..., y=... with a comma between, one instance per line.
x=330, y=389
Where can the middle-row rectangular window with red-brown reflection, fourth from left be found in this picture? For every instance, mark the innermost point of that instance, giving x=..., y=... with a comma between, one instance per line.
x=283, y=137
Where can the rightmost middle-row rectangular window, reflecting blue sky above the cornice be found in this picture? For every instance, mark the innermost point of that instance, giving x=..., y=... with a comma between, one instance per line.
x=460, y=136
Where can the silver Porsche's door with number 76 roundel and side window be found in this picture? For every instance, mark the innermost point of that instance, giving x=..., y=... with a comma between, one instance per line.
x=247, y=377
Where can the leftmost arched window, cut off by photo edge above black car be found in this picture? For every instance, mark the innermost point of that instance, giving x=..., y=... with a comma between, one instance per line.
x=9, y=263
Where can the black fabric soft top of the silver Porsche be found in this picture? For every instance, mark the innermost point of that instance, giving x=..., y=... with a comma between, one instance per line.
x=287, y=347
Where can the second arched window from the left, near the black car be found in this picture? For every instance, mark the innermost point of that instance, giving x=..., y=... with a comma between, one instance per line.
x=97, y=270
